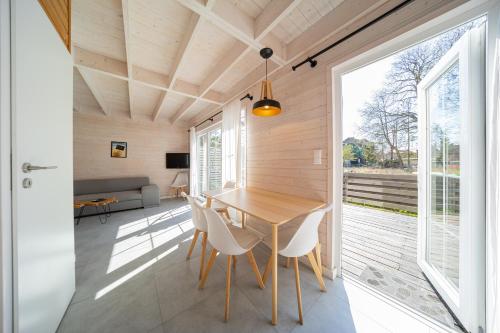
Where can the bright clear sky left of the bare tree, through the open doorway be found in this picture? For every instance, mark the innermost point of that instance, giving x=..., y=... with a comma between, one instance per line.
x=357, y=88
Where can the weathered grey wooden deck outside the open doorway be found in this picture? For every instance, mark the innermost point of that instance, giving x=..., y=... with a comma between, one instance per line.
x=379, y=248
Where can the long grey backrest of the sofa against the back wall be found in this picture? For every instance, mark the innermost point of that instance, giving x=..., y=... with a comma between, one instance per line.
x=91, y=186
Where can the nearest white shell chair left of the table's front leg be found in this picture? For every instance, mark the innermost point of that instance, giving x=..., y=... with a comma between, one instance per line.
x=231, y=241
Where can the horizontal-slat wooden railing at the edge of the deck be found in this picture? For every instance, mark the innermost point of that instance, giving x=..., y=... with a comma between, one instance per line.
x=387, y=191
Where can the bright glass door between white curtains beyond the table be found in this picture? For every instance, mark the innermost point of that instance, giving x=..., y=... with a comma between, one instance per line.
x=210, y=159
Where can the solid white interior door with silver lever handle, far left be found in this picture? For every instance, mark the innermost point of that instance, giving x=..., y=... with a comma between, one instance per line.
x=42, y=134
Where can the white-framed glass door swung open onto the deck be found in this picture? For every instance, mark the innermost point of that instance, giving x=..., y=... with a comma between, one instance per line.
x=451, y=208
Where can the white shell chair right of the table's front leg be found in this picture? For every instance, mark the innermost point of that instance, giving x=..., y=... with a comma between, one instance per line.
x=296, y=242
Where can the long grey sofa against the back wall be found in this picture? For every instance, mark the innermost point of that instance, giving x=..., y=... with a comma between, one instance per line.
x=131, y=193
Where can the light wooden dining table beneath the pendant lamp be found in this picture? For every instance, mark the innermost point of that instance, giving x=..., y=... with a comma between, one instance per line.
x=274, y=208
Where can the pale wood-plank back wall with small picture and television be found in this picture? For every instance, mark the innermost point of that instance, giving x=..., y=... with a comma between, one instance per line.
x=147, y=144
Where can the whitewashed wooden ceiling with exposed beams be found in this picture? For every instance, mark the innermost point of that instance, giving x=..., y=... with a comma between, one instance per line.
x=170, y=60
